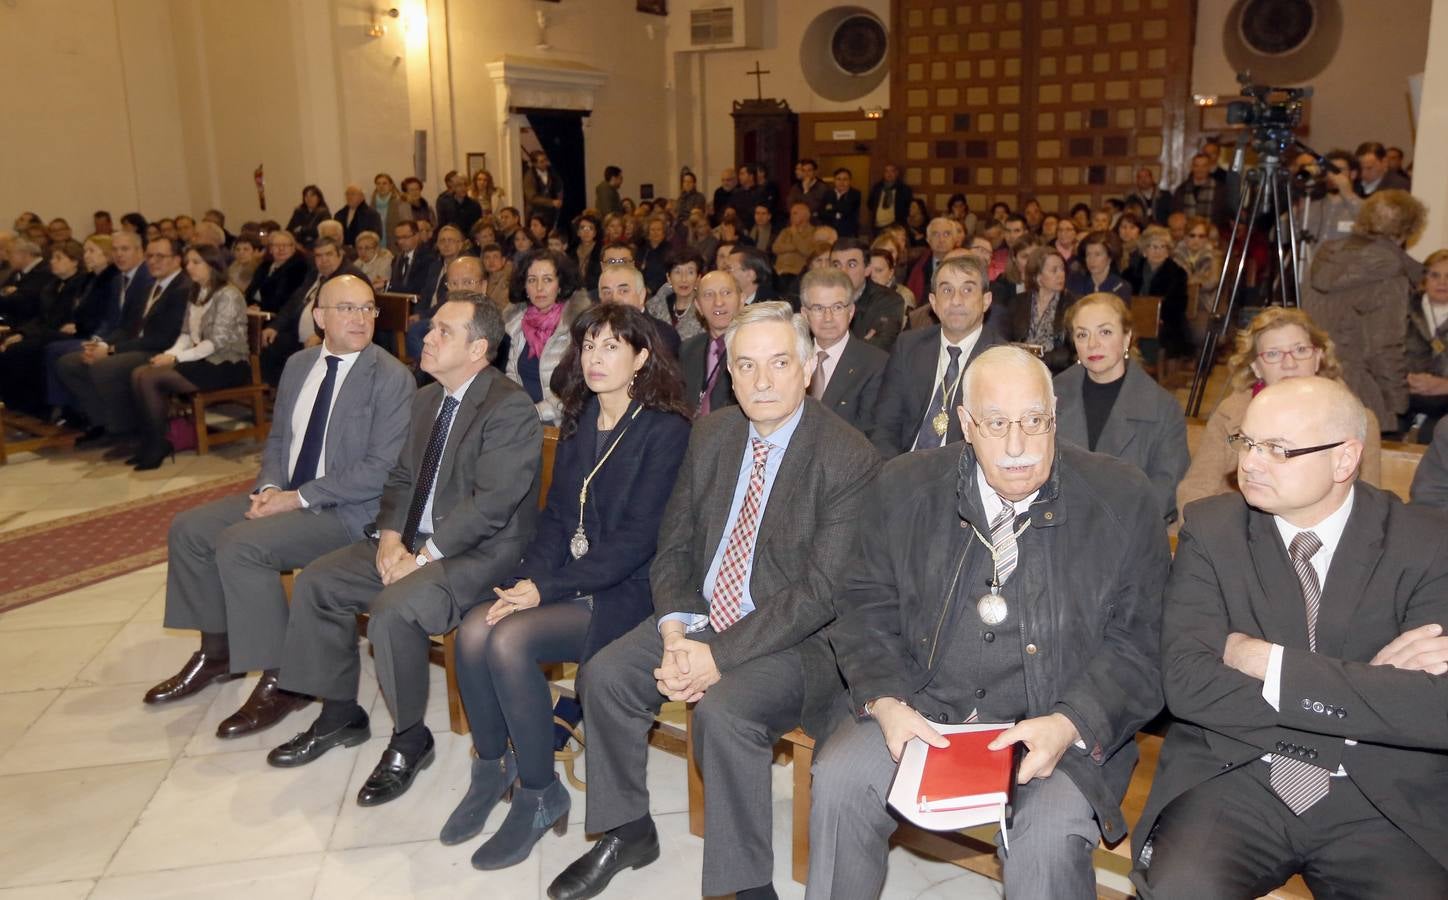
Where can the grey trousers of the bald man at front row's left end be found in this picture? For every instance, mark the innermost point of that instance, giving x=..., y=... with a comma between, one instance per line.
x=224, y=574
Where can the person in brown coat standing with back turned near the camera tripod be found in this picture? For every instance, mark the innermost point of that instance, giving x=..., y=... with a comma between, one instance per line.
x=1359, y=293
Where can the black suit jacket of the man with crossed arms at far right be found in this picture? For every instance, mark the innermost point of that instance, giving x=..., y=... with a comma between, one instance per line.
x=1232, y=574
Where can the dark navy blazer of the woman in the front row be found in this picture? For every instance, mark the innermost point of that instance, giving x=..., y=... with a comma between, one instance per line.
x=622, y=520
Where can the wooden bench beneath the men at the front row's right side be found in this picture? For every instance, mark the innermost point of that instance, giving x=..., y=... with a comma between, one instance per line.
x=974, y=849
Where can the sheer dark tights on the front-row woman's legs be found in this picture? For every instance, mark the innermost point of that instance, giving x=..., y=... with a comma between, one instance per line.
x=503, y=687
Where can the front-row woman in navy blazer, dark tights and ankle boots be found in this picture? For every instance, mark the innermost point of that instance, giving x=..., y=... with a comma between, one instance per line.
x=584, y=580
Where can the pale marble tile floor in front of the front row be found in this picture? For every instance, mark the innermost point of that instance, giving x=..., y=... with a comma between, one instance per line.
x=106, y=798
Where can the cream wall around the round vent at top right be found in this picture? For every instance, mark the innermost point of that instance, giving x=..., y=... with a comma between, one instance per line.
x=1363, y=93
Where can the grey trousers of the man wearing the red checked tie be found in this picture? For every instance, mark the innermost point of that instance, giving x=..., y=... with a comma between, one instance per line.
x=735, y=731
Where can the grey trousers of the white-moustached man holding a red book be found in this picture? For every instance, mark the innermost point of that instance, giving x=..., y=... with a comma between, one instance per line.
x=1052, y=836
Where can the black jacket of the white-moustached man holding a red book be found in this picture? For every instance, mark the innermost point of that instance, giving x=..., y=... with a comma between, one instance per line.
x=1091, y=652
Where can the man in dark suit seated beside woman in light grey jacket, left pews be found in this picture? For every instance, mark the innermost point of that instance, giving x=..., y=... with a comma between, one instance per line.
x=99, y=375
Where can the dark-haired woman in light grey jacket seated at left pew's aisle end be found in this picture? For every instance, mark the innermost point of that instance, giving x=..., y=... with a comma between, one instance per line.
x=209, y=355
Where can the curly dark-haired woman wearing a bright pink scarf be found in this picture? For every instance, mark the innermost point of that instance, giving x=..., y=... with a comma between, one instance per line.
x=545, y=284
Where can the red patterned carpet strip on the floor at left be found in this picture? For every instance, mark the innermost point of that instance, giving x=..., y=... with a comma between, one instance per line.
x=80, y=551
